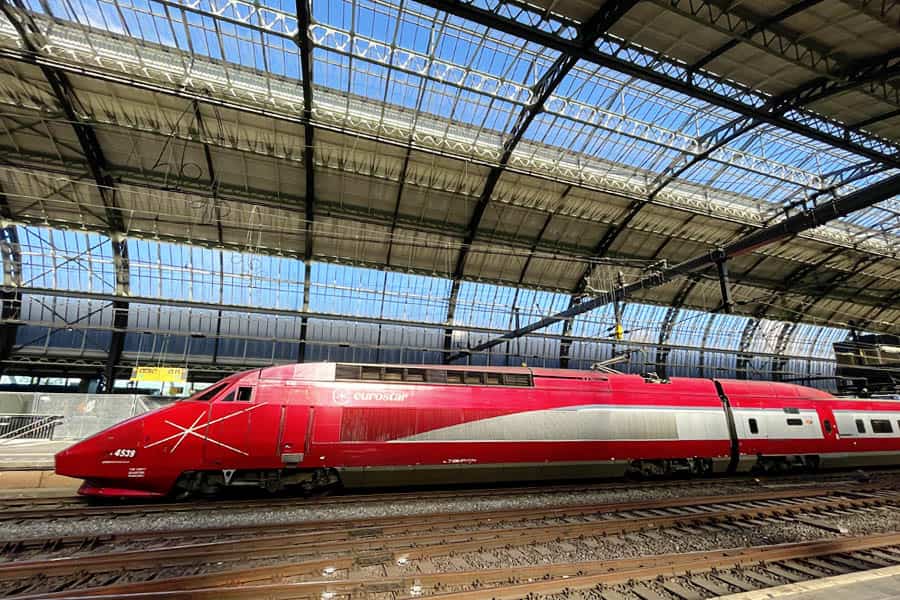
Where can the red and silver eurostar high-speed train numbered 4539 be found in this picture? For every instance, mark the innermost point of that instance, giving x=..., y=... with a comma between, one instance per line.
x=320, y=424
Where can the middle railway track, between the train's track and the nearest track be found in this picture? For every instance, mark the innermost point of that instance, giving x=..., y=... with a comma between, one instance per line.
x=343, y=551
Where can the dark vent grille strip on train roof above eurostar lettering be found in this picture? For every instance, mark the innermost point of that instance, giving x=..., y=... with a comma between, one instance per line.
x=389, y=374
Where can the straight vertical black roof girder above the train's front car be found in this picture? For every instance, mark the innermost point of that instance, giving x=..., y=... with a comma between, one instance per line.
x=309, y=199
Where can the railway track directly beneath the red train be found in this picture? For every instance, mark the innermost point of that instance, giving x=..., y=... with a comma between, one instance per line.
x=60, y=507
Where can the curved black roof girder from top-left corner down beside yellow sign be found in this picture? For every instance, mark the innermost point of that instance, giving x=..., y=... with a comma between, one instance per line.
x=33, y=39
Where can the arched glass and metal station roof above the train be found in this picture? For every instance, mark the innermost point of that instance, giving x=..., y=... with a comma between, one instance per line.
x=232, y=183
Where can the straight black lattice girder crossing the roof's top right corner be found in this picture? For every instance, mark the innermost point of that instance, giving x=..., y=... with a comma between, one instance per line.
x=655, y=67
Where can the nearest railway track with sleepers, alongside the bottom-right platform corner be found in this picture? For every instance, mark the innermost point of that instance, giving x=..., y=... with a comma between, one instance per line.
x=682, y=576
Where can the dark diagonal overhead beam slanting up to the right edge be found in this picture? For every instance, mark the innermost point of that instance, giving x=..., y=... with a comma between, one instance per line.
x=798, y=223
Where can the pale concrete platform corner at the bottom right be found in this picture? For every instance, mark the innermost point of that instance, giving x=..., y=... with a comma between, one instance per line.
x=877, y=584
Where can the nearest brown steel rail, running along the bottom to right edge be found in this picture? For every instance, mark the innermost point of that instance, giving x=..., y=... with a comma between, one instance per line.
x=503, y=583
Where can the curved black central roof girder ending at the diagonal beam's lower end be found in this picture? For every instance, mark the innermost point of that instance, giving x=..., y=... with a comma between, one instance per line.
x=588, y=33
